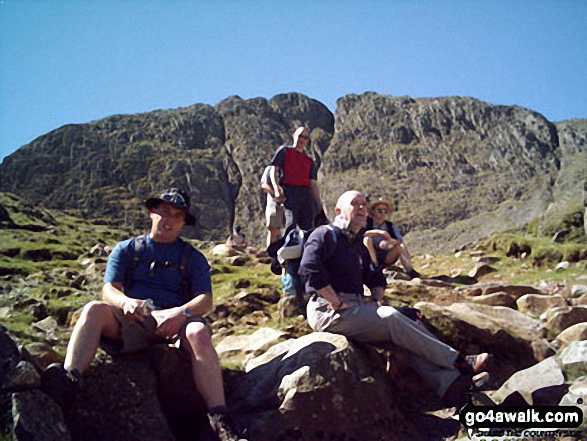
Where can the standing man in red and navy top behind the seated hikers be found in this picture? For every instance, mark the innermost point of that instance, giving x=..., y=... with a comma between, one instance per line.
x=297, y=188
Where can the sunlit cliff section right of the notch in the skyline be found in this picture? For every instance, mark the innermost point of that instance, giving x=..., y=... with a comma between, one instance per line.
x=443, y=159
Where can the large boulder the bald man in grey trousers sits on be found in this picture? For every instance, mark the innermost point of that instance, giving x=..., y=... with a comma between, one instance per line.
x=308, y=389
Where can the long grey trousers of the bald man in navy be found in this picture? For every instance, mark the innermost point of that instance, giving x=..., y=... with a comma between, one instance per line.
x=431, y=359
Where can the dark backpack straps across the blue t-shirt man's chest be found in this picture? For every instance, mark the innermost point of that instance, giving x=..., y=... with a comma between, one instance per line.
x=182, y=266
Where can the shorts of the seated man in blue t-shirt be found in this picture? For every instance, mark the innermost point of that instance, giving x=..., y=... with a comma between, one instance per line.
x=138, y=336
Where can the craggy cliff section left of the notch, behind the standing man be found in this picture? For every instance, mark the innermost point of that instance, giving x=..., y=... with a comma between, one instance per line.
x=107, y=167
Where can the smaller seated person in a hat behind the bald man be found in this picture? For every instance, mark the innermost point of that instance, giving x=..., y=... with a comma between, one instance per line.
x=388, y=246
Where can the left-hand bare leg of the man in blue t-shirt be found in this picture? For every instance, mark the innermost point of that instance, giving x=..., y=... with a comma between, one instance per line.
x=95, y=321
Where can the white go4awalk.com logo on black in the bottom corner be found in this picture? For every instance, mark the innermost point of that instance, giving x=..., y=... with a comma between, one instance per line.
x=527, y=421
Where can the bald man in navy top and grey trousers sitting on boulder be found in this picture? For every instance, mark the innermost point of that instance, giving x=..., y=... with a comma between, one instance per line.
x=338, y=304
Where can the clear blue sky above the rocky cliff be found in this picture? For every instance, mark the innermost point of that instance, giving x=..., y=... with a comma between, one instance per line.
x=74, y=61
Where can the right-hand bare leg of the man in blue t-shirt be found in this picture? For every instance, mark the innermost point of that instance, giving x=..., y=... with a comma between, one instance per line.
x=205, y=364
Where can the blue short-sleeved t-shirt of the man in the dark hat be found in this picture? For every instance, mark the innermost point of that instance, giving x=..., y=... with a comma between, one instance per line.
x=160, y=283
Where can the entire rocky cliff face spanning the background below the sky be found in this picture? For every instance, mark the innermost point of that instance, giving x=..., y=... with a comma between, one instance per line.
x=456, y=165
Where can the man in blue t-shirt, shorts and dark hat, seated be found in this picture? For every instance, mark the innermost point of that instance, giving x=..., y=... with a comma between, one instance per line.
x=148, y=299
